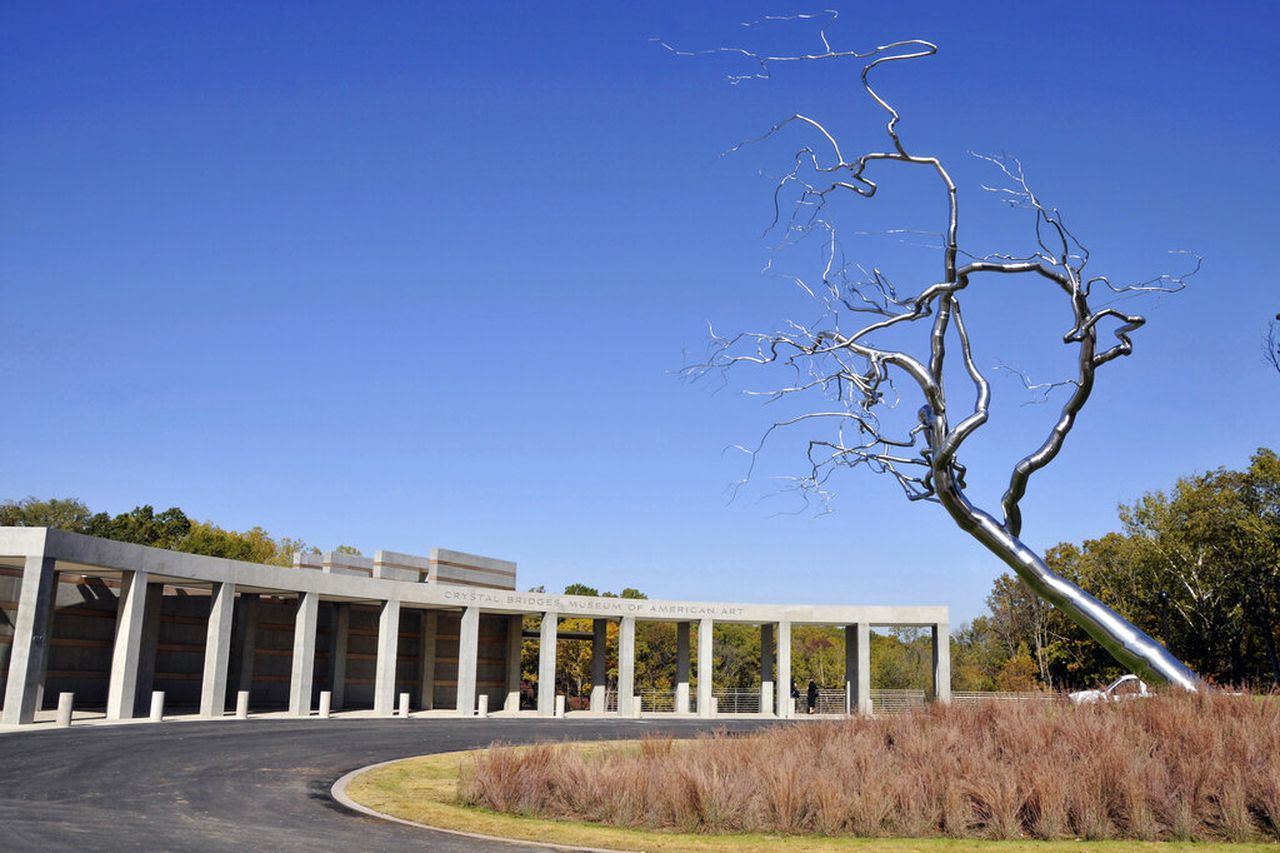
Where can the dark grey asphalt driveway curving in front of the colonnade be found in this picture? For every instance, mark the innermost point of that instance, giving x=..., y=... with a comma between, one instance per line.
x=258, y=784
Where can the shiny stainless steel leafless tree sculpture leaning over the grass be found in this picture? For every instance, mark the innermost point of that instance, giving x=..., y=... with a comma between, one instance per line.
x=839, y=358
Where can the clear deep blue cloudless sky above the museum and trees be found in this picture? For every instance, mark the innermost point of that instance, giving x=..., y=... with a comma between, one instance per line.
x=405, y=276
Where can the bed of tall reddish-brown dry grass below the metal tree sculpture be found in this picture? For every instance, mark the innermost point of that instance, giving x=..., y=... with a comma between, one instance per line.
x=1186, y=768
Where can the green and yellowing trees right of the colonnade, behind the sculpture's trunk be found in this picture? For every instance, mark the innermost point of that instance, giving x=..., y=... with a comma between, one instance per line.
x=1197, y=568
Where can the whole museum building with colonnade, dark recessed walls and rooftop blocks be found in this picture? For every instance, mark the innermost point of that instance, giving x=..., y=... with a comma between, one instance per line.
x=113, y=623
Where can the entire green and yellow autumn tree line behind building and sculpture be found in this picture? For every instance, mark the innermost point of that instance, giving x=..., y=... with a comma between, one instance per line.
x=1196, y=567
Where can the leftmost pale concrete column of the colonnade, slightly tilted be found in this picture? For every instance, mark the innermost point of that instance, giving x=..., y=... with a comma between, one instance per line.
x=31, y=638
